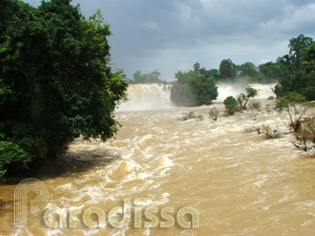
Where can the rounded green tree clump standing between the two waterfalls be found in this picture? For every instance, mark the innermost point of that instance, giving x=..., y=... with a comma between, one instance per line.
x=193, y=88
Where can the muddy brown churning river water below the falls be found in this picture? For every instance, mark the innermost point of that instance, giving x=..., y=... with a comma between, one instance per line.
x=241, y=183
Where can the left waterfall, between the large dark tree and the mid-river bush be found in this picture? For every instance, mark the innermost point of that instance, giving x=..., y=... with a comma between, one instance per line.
x=143, y=97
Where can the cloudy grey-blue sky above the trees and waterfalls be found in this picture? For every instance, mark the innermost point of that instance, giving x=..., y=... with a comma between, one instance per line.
x=171, y=35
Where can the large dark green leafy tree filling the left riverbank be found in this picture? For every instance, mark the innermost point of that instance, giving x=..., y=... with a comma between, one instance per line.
x=55, y=79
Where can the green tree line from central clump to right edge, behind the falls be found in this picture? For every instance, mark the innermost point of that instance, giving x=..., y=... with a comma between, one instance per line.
x=294, y=72
